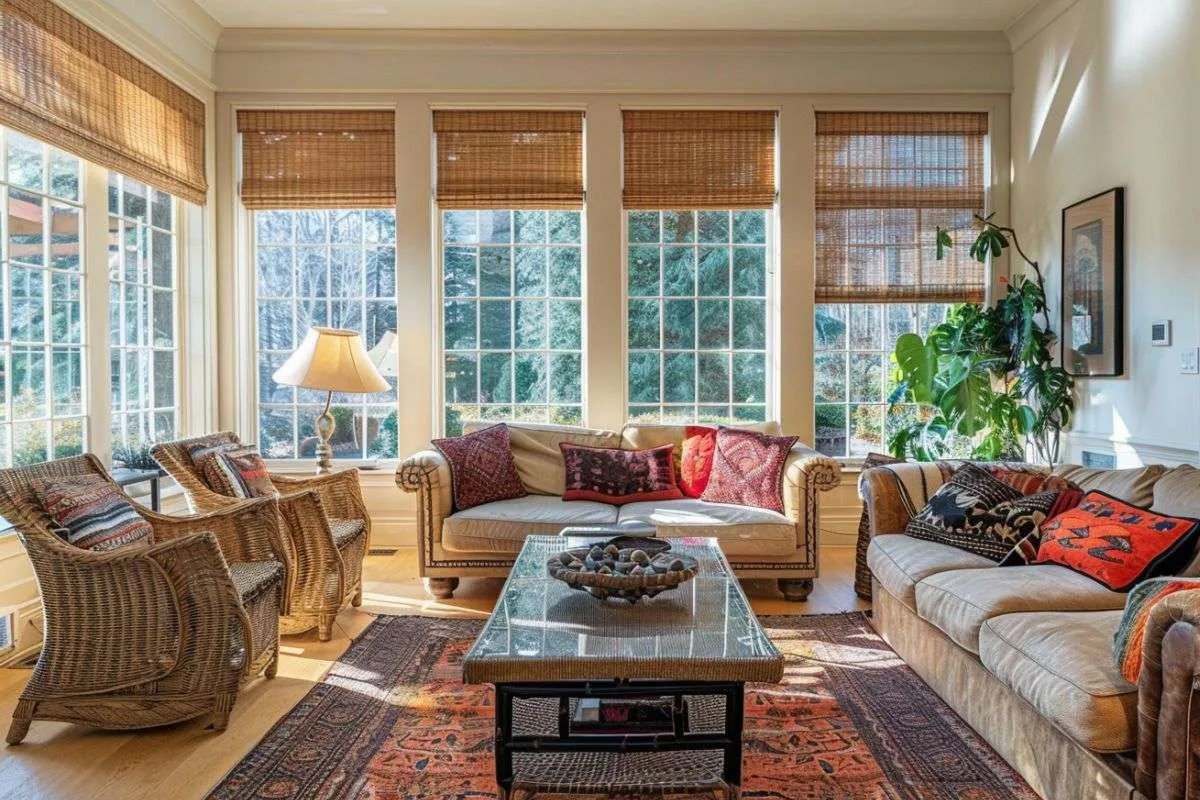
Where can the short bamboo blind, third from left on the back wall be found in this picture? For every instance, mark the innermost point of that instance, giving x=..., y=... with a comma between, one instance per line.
x=699, y=160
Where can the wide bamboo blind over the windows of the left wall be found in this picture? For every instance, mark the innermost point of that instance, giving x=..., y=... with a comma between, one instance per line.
x=67, y=85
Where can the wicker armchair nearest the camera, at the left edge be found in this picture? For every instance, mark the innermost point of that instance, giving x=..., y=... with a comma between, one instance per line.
x=145, y=636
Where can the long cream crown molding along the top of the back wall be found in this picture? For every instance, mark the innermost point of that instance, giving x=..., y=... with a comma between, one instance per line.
x=599, y=43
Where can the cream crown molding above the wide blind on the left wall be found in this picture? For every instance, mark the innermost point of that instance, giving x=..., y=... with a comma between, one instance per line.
x=194, y=74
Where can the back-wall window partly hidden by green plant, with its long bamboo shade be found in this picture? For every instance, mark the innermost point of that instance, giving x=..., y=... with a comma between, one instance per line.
x=885, y=182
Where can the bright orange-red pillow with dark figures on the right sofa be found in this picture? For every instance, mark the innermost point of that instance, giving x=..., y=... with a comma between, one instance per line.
x=1118, y=544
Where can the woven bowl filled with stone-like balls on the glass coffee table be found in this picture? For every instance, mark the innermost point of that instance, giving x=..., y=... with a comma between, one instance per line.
x=615, y=576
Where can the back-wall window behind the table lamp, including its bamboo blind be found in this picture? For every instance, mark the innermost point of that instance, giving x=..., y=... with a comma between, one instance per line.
x=321, y=189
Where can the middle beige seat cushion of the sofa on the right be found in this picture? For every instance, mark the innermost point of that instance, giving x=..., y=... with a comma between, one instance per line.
x=961, y=601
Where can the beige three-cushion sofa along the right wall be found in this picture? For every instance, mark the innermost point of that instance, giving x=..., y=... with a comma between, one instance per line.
x=1025, y=654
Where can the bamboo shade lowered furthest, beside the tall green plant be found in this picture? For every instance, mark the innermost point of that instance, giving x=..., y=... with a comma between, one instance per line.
x=885, y=182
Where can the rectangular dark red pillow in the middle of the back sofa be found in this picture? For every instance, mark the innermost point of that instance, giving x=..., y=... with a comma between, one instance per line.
x=620, y=477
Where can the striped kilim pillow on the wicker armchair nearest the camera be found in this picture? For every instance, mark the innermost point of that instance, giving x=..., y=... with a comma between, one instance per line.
x=92, y=514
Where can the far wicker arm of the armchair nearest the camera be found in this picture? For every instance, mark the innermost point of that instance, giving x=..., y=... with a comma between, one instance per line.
x=248, y=531
